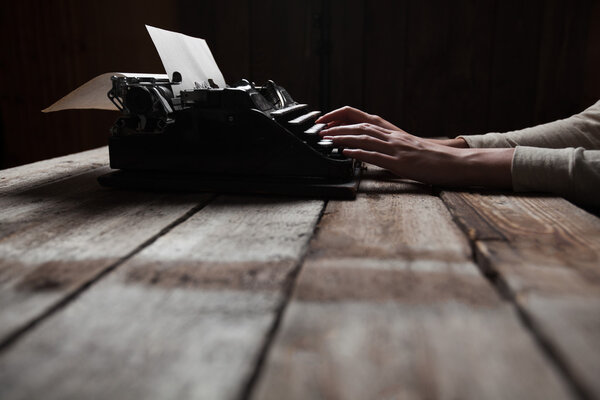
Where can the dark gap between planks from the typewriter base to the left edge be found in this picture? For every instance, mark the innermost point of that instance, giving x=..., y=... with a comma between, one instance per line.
x=75, y=293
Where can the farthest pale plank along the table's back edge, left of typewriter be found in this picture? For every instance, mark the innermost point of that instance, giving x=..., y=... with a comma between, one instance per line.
x=28, y=176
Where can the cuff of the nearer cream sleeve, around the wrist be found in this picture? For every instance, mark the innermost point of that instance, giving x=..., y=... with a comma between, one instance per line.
x=537, y=169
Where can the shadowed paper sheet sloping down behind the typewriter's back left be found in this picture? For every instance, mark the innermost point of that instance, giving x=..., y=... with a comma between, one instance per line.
x=93, y=94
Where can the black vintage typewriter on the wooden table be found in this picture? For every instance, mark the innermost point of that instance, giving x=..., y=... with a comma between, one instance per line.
x=238, y=139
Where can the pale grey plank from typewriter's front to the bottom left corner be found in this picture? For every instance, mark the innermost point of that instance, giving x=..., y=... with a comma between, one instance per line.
x=184, y=318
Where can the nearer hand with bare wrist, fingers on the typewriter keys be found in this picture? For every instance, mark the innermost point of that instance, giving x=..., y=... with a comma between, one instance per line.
x=421, y=159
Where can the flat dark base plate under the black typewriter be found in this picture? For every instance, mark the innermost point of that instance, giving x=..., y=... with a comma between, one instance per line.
x=186, y=182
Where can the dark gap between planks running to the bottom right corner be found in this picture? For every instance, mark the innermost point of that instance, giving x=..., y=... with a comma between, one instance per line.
x=503, y=289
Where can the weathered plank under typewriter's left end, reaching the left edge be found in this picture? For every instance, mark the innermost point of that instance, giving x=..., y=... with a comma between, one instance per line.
x=50, y=246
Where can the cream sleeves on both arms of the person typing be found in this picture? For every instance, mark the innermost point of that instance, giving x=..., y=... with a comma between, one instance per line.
x=561, y=157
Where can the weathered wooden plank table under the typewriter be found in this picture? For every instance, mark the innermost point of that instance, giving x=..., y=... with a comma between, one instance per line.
x=404, y=293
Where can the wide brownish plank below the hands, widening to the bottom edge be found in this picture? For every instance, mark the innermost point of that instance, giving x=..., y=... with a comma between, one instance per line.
x=389, y=305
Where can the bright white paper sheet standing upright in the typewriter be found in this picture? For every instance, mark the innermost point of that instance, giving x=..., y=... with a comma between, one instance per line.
x=187, y=55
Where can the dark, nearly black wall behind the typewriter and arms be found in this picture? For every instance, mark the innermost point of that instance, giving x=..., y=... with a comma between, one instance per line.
x=432, y=67
